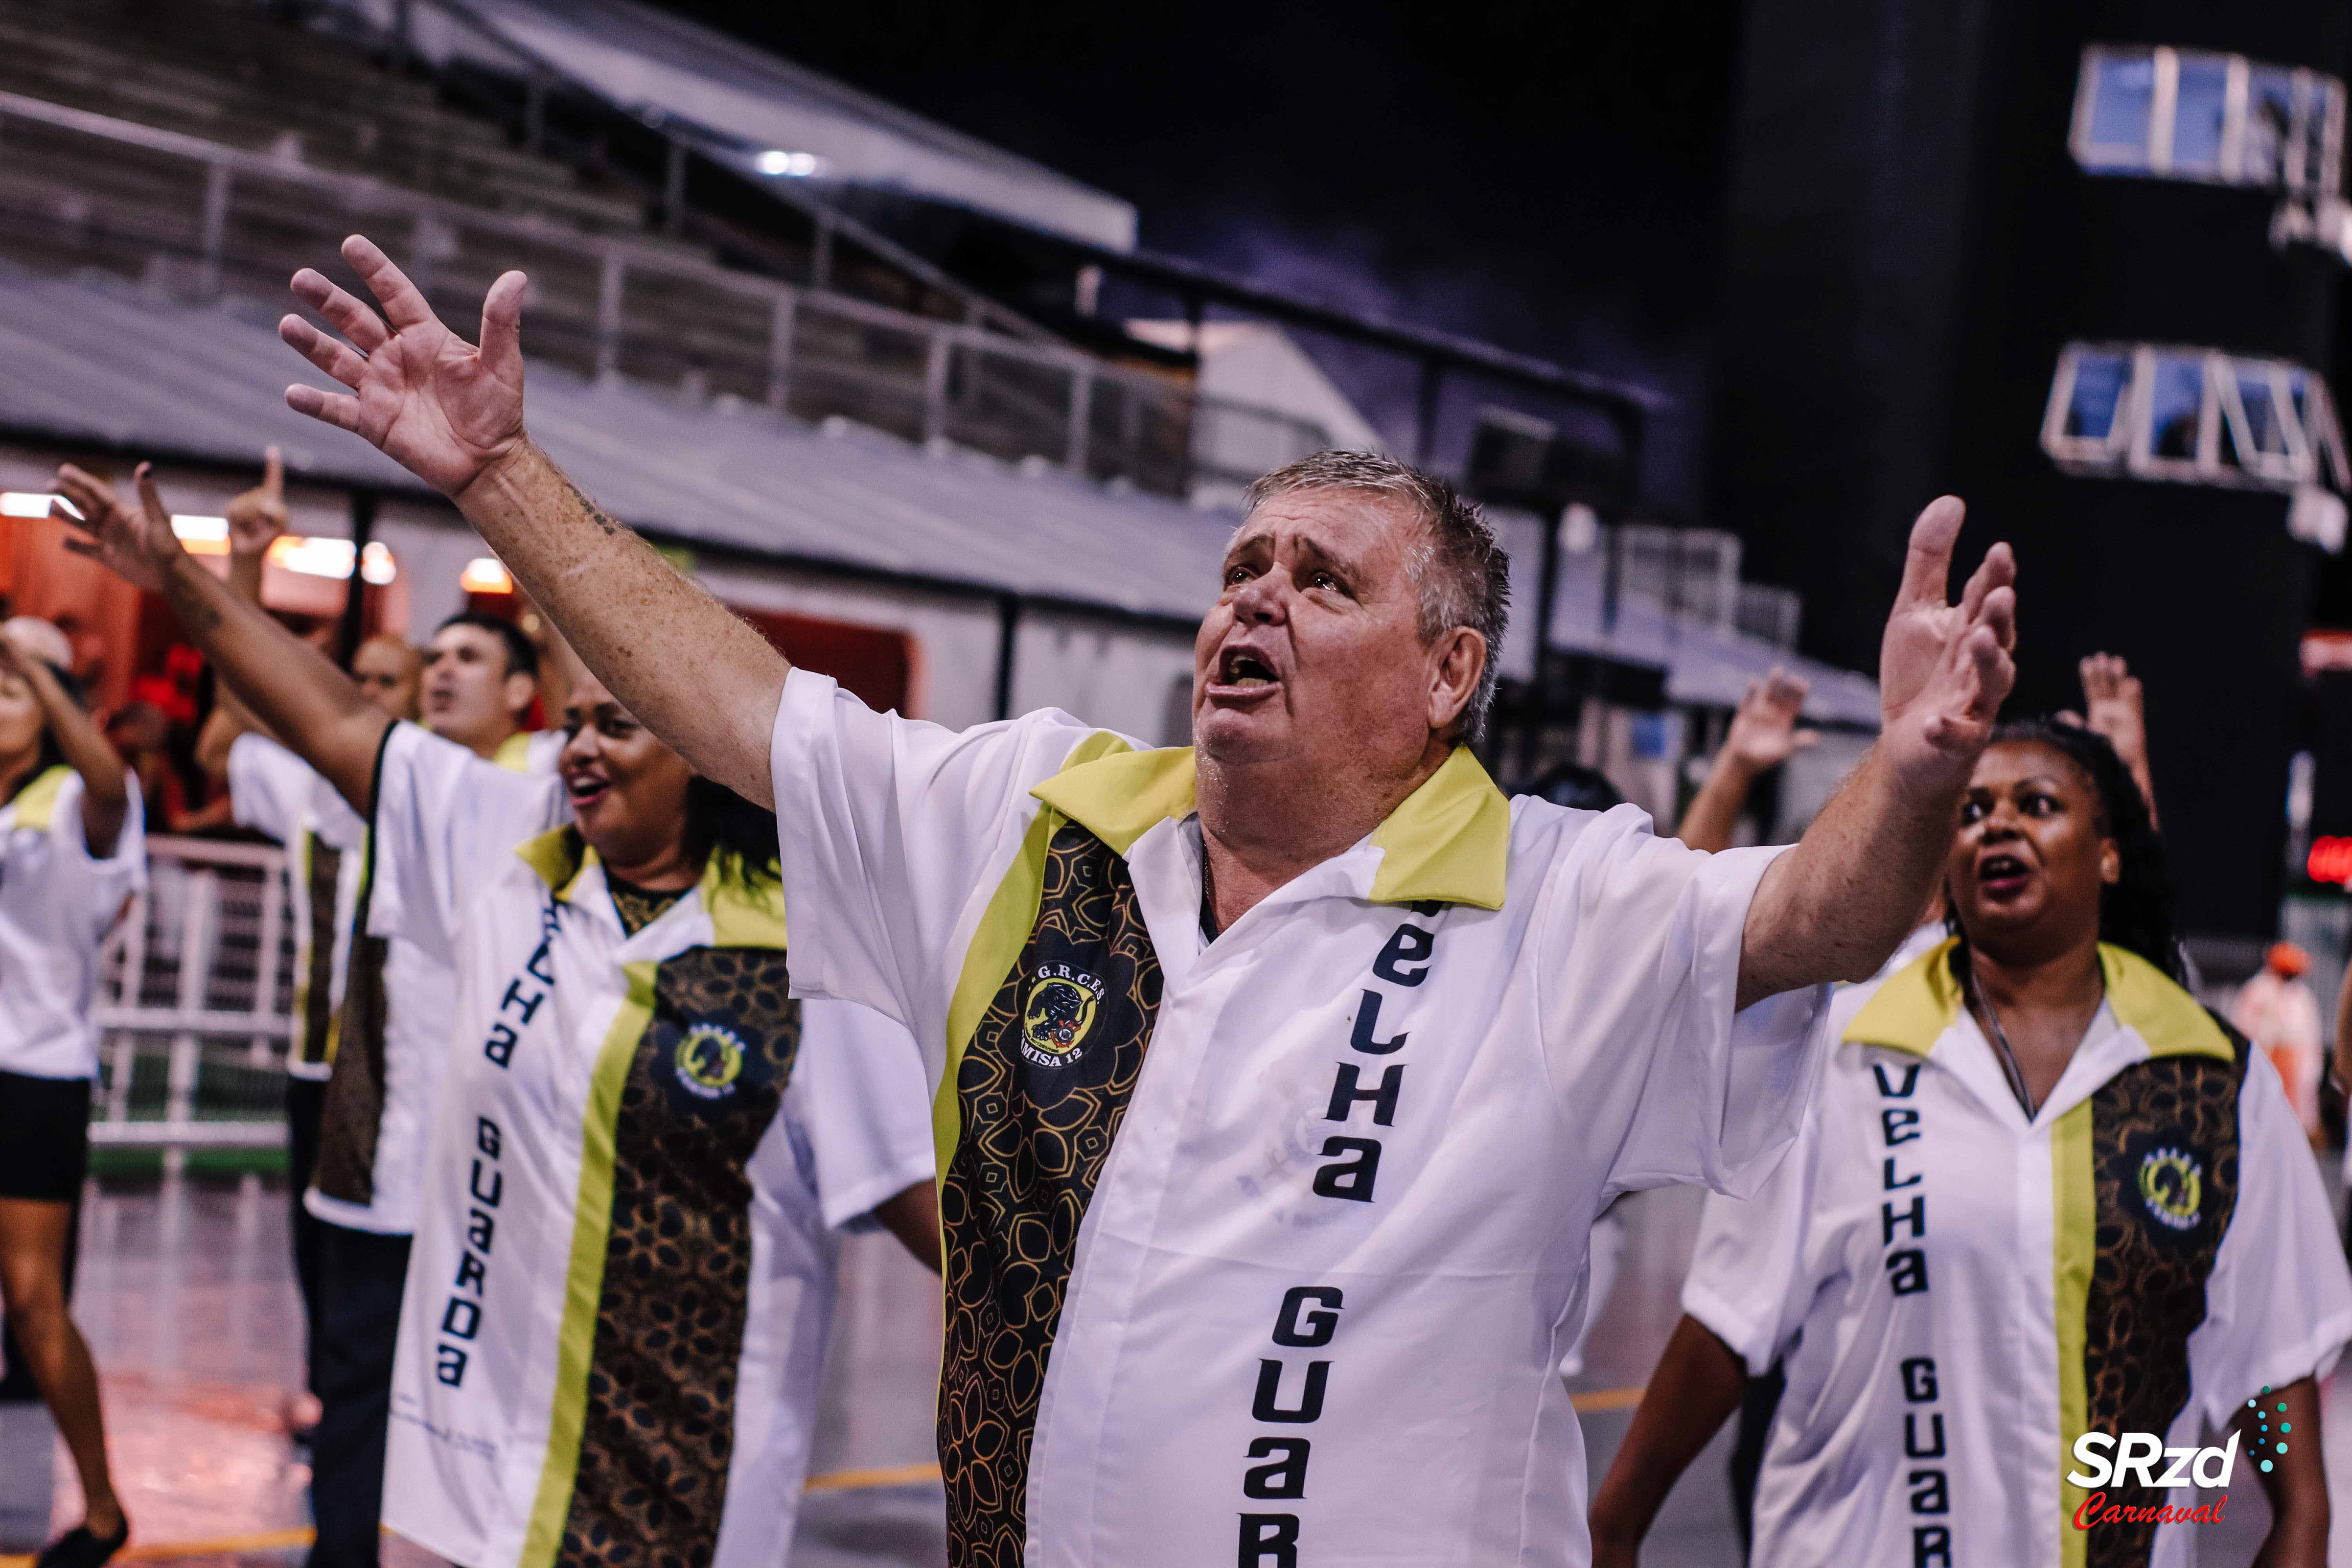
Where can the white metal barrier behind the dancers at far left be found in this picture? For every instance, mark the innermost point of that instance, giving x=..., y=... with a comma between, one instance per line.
x=196, y=1003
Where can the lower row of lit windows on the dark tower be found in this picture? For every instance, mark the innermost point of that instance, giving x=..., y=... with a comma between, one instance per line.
x=2193, y=415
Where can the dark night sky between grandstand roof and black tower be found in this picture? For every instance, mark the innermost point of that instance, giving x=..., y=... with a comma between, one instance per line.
x=1542, y=175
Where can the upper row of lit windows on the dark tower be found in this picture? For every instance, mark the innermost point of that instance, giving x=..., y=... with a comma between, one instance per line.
x=2219, y=119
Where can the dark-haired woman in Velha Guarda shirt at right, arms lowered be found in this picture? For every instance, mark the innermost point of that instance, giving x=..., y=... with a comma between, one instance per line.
x=2047, y=1226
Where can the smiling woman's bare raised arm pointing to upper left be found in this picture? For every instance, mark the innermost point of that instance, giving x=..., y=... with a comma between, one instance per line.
x=290, y=685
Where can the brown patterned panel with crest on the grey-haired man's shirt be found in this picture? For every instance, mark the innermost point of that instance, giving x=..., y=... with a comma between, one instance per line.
x=1041, y=1090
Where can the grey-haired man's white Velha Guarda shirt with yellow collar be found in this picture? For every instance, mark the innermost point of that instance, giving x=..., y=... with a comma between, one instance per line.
x=1292, y=1282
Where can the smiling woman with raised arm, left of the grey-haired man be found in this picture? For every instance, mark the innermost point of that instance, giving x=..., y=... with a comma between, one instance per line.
x=624, y=1257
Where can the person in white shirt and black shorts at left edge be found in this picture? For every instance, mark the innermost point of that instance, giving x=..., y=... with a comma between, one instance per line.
x=69, y=855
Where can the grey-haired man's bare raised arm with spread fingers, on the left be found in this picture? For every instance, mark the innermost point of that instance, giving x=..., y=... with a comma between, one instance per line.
x=450, y=413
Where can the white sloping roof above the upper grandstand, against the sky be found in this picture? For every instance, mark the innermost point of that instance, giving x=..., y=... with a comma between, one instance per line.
x=669, y=69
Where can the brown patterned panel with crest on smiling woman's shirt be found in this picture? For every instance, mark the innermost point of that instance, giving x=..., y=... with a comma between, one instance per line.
x=669, y=1334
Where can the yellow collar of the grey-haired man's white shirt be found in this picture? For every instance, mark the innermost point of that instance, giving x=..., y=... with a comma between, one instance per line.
x=1448, y=843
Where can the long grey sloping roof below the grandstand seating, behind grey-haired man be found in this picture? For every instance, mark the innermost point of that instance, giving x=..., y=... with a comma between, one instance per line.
x=109, y=366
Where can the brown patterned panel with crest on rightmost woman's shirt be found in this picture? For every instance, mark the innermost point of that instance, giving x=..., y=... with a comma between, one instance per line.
x=2165, y=1179
